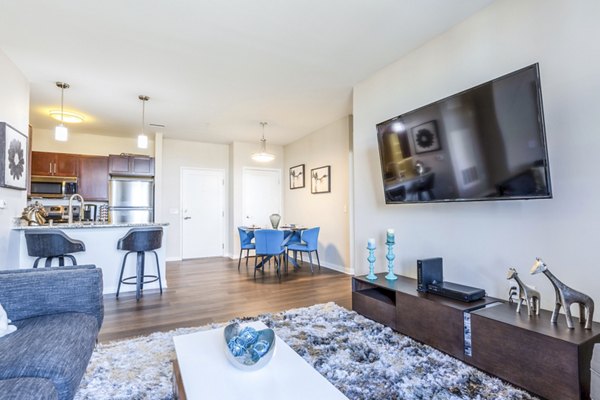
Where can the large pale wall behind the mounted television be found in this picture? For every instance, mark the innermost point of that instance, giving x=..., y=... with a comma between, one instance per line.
x=480, y=240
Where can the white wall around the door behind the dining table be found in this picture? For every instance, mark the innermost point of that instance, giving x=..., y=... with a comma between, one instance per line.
x=240, y=158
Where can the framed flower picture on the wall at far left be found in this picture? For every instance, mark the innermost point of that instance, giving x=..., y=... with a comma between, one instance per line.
x=13, y=161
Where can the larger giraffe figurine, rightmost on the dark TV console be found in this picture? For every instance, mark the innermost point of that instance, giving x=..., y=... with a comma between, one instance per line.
x=565, y=297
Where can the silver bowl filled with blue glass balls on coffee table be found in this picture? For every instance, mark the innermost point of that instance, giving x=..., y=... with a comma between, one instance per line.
x=248, y=349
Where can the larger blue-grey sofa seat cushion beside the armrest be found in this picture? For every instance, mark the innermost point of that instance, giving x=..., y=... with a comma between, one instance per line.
x=57, y=347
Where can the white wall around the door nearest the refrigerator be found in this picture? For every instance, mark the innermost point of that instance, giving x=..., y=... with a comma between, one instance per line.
x=177, y=154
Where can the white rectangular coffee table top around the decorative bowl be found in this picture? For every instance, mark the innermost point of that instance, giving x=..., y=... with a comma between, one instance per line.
x=207, y=374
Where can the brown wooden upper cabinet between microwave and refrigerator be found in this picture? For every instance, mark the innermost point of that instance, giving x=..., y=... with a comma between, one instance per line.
x=93, y=178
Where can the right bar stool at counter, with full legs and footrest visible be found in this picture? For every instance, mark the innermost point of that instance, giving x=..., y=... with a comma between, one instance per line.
x=140, y=240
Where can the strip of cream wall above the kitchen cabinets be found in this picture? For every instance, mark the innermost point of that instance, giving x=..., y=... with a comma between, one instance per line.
x=87, y=143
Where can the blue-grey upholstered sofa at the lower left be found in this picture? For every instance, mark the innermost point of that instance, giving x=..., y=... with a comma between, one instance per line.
x=58, y=313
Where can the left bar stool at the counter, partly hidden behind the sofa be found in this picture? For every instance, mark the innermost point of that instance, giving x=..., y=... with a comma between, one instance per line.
x=50, y=244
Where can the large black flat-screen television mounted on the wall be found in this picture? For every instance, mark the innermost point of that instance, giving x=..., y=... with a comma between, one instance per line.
x=485, y=143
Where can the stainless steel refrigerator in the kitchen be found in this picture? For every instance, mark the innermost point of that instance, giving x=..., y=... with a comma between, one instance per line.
x=131, y=200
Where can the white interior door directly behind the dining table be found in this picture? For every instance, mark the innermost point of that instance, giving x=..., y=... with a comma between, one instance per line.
x=261, y=196
